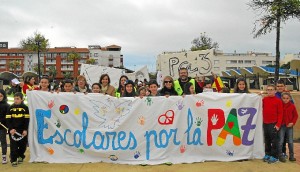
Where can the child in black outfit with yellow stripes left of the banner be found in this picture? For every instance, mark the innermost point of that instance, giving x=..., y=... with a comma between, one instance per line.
x=17, y=119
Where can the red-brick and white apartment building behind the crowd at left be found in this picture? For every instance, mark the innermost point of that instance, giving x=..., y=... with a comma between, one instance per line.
x=55, y=60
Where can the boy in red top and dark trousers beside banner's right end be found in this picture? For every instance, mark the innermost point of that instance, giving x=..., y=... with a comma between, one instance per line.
x=272, y=118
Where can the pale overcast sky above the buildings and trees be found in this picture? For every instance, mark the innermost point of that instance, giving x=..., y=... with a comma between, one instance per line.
x=143, y=28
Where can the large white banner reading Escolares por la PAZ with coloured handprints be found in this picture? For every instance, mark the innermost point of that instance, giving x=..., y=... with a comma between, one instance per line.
x=78, y=128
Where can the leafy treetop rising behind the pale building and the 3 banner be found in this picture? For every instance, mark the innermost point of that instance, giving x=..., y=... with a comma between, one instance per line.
x=203, y=43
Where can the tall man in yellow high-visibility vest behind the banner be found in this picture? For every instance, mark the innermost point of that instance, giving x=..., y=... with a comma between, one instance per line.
x=183, y=79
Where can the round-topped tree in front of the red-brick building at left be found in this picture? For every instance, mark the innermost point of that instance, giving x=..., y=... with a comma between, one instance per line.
x=37, y=43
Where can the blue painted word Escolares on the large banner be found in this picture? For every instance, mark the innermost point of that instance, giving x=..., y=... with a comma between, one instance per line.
x=108, y=139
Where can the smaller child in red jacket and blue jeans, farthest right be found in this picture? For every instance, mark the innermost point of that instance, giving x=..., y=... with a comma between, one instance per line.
x=290, y=116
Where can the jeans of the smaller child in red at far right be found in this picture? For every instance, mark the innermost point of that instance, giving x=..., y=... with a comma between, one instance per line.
x=286, y=132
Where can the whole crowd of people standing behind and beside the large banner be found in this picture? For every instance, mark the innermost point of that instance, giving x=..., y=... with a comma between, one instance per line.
x=279, y=112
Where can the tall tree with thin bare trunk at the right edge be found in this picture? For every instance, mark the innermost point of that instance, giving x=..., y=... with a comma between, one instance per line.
x=274, y=12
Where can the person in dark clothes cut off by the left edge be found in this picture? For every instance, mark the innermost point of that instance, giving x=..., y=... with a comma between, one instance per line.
x=4, y=106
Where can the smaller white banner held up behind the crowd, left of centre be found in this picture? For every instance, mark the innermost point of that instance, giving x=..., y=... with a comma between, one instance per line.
x=93, y=73
